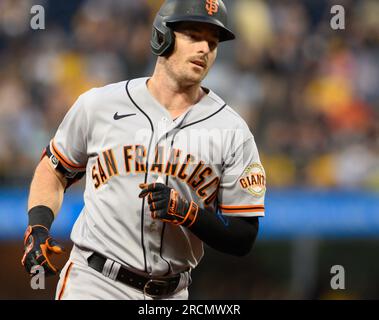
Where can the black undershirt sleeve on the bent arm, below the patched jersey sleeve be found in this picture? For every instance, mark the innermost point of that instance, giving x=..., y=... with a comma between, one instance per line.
x=232, y=235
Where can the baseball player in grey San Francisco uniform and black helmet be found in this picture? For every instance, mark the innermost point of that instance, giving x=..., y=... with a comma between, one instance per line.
x=168, y=166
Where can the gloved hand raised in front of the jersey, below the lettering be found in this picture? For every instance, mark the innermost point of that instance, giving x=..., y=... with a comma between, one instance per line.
x=167, y=205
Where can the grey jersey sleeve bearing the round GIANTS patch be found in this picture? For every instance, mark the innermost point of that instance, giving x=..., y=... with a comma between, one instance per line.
x=243, y=183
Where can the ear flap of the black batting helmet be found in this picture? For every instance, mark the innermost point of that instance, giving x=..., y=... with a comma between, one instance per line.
x=162, y=39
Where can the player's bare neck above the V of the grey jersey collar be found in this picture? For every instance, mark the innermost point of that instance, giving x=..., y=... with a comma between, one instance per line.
x=175, y=98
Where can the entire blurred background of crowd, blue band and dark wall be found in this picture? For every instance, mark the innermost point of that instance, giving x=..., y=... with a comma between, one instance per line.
x=310, y=95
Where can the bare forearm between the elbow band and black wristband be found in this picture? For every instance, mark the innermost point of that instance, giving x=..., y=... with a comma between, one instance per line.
x=47, y=188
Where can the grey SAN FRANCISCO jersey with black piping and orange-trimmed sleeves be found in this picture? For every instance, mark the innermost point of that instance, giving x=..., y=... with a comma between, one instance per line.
x=121, y=137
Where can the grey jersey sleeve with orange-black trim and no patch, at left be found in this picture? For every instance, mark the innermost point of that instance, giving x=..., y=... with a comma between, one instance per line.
x=69, y=145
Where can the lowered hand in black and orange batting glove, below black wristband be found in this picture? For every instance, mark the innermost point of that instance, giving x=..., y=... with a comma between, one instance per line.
x=38, y=247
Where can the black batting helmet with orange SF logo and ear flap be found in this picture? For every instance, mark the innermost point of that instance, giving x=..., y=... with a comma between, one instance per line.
x=173, y=11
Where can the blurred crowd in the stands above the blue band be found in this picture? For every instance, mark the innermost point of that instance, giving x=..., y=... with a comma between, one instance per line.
x=309, y=93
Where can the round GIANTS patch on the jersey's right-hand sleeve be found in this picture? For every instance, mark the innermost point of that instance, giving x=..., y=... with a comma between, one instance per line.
x=253, y=180
